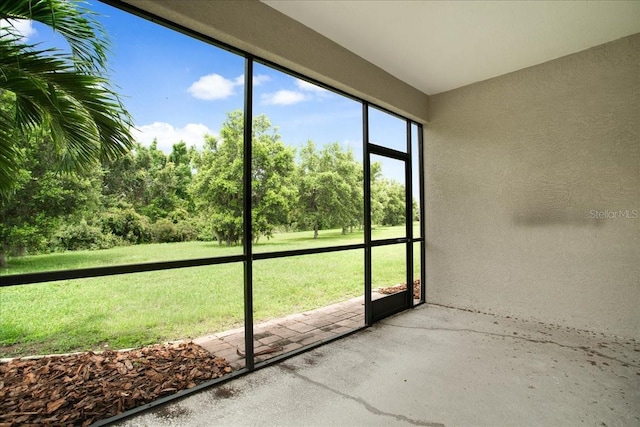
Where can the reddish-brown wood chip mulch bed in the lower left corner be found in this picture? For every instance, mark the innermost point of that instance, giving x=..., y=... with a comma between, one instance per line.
x=82, y=389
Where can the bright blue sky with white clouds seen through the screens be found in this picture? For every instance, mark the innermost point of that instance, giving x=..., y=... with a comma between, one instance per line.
x=179, y=88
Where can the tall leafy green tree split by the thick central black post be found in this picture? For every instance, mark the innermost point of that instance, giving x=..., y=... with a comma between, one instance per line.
x=217, y=187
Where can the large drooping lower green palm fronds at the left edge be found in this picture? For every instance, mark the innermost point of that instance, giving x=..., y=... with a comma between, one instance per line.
x=85, y=118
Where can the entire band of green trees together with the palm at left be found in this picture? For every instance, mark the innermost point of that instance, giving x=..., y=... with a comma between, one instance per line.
x=72, y=177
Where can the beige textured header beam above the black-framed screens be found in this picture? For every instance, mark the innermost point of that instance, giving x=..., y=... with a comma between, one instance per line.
x=261, y=30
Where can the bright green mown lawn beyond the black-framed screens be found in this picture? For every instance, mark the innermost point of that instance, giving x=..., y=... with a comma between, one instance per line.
x=143, y=308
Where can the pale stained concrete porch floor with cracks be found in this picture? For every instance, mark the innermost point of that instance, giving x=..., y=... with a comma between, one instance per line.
x=432, y=366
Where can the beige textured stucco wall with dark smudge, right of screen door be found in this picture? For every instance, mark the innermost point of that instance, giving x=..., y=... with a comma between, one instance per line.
x=526, y=176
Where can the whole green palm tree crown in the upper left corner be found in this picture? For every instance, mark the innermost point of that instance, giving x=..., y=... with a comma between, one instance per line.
x=64, y=93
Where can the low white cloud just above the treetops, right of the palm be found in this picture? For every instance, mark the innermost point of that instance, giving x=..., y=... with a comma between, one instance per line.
x=167, y=135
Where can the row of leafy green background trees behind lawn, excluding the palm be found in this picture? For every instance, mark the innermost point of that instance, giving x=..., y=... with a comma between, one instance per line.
x=148, y=196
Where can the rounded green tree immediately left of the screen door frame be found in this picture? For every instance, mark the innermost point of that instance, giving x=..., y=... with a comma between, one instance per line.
x=329, y=188
